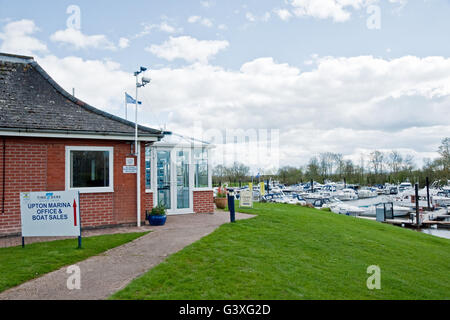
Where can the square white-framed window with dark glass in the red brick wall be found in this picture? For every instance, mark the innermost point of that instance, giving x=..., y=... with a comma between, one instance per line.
x=89, y=169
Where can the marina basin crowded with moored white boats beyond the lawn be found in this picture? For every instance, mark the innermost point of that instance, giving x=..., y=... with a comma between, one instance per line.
x=392, y=204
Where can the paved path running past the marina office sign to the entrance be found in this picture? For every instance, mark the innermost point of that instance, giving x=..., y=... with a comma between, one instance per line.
x=103, y=275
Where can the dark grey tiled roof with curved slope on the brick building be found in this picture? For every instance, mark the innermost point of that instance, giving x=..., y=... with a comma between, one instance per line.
x=31, y=101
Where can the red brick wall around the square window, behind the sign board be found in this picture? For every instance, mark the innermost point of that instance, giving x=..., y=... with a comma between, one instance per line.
x=38, y=164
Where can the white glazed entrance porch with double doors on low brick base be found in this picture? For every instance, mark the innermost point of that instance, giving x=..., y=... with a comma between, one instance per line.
x=178, y=173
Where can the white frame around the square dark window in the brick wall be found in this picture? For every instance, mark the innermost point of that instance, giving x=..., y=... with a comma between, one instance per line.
x=109, y=189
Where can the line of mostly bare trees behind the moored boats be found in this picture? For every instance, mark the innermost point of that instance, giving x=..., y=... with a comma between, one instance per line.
x=376, y=167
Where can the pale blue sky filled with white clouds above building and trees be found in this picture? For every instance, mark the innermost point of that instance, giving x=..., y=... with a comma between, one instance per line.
x=346, y=76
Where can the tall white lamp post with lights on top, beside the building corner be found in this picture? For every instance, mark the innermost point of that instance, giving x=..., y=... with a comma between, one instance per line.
x=143, y=83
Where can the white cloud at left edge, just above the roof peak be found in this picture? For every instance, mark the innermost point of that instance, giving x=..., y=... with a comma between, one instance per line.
x=17, y=38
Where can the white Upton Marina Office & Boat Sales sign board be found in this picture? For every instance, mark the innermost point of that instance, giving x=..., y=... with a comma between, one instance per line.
x=50, y=214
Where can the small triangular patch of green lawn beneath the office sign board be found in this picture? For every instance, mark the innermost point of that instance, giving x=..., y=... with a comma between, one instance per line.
x=19, y=265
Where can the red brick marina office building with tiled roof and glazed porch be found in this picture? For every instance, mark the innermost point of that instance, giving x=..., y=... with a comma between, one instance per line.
x=52, y=141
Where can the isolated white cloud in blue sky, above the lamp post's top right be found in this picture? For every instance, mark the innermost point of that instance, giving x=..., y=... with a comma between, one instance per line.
x=188, y=48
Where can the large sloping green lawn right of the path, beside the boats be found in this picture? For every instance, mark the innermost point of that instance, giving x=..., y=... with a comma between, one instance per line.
x=289, y=252
